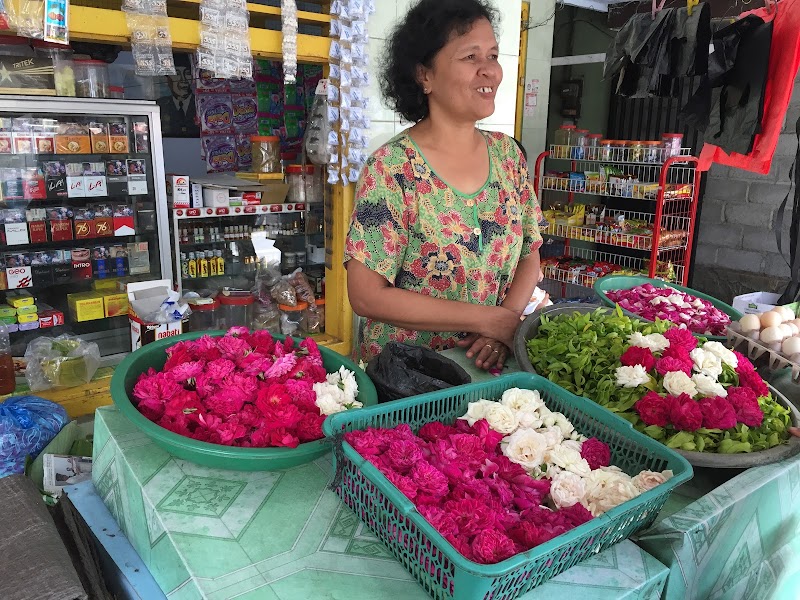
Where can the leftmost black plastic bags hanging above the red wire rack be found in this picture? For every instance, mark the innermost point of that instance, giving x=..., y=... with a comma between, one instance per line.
x=650, y=53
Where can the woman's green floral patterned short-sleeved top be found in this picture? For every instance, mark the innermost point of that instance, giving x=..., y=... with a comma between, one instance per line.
x=422, y=235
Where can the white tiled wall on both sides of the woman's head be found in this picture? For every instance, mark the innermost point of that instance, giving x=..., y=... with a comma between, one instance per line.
x=386, y=124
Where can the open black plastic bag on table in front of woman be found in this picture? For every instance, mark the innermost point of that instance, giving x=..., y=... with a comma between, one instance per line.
x=403, y=370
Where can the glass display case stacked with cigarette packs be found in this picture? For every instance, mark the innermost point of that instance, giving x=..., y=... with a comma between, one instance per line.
x=83, y=206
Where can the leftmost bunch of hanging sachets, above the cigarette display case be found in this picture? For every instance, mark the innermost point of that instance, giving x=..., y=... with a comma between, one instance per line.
x=151, y=42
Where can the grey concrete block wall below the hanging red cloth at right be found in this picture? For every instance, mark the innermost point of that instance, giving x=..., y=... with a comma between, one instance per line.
x=736, y=244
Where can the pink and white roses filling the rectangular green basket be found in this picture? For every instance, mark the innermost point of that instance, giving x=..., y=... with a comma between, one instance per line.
x=506, y=477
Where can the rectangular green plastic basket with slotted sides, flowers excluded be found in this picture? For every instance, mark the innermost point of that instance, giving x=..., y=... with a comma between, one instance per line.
x=439, y=568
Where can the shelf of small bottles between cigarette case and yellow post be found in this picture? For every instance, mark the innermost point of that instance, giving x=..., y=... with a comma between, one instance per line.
x=219, y=247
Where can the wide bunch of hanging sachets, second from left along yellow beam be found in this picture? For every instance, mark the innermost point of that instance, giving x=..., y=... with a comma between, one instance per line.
x=224, y=49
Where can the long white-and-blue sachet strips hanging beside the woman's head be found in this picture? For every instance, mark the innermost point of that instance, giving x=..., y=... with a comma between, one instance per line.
x=347, y=89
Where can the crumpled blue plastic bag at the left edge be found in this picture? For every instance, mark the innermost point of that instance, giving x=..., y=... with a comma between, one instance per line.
x=27, y=425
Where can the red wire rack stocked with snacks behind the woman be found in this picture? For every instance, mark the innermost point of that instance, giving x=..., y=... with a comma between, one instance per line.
x=646, y=207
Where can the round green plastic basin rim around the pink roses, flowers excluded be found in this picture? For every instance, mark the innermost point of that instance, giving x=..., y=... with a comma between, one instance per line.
x=215, y=455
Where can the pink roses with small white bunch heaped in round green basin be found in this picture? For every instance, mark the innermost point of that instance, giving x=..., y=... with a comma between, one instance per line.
x=245, y=389
